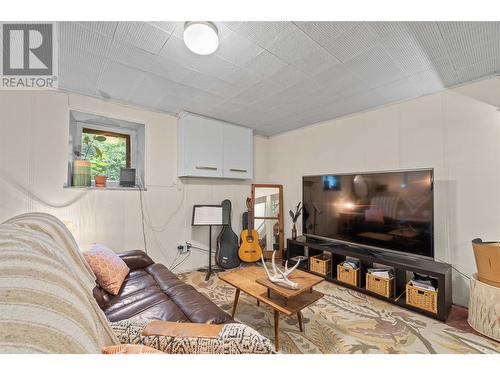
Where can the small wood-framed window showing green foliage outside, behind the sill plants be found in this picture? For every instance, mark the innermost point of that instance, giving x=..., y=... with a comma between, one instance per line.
x=107, y=151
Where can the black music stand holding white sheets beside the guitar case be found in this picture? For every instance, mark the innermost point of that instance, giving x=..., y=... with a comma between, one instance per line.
x=208, y=215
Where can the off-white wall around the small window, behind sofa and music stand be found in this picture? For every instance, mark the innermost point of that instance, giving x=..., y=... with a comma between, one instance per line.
x=33, y=157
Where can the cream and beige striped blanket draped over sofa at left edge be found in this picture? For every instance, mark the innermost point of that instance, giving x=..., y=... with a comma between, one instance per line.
x=46, y=302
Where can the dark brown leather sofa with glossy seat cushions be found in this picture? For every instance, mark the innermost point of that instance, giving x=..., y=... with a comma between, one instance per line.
x=151, y=291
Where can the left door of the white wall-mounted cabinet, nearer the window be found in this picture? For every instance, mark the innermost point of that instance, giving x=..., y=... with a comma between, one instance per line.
x=201, y=147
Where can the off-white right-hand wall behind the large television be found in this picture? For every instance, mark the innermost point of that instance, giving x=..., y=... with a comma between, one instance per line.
x=457, y=132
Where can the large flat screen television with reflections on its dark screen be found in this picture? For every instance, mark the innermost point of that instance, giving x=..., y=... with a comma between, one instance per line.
x=383, y=210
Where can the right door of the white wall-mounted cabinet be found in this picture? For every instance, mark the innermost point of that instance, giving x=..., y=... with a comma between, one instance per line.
x=238, y=152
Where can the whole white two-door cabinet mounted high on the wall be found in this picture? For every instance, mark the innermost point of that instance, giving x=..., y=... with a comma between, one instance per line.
x=212, y=148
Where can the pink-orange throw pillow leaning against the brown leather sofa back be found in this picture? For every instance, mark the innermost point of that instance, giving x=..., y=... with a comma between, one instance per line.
x=109, y=269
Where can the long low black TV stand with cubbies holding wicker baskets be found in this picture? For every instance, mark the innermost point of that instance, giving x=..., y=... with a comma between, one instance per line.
x=403, y=266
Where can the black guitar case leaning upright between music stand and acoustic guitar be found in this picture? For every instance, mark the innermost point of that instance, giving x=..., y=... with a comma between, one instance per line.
x=226, y=255
